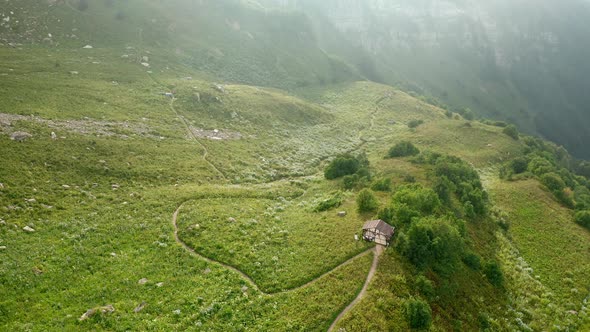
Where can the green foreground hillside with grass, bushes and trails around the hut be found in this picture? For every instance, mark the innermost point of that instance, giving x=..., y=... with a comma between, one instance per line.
x=213, y=208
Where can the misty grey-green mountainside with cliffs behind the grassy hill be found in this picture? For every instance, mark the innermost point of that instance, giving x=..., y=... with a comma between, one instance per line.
x=523, y=62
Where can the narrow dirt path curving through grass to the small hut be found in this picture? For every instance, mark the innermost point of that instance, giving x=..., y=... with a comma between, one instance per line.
x=248, y=278
